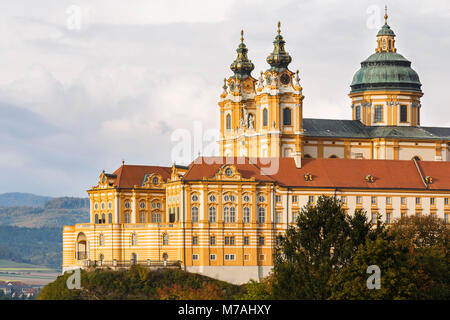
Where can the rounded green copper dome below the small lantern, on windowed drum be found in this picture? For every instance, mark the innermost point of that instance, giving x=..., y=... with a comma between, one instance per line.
x=385, y=71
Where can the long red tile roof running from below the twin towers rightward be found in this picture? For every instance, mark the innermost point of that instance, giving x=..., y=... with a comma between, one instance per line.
x=330, y=173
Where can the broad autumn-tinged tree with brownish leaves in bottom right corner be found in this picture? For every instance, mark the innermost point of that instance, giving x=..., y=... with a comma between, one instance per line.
x=413, y=259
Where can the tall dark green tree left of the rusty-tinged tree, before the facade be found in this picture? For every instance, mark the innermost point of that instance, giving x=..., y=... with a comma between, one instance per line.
x=322, y=242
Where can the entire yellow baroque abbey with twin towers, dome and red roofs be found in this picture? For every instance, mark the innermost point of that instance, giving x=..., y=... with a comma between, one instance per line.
x=221, y=216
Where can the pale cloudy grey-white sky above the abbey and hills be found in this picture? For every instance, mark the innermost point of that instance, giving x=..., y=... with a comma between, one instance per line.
x=85, y=85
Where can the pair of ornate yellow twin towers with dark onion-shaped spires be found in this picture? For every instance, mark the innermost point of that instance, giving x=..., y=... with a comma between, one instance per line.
x=264, y=117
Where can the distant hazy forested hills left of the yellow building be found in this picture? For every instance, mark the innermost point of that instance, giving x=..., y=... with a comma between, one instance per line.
x=34, y=233
